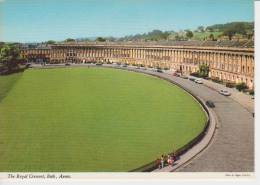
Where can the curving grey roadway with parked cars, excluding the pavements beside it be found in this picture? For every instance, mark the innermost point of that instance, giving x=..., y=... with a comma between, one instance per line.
x=232, y=147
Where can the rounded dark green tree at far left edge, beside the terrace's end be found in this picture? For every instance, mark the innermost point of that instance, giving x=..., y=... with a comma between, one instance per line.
x=10, y=56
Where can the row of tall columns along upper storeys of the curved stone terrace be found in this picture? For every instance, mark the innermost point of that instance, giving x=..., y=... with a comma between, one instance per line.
x=237, y=63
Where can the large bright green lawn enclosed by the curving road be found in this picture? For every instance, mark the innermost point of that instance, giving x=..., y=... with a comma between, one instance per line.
x=96, y=119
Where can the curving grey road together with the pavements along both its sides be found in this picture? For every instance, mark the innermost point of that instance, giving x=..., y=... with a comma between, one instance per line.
x=232, y=147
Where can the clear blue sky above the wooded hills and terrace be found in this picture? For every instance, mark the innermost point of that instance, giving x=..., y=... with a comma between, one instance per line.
x=42, y=20
